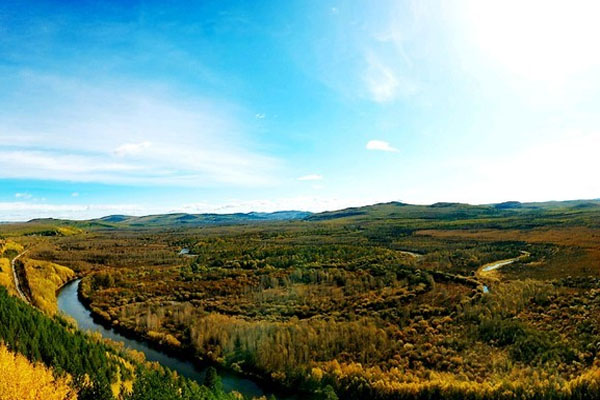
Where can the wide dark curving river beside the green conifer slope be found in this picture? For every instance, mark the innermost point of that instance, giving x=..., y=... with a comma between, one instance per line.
x=69, y=304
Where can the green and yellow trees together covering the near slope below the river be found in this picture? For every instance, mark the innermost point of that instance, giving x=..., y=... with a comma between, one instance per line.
x=83, y=367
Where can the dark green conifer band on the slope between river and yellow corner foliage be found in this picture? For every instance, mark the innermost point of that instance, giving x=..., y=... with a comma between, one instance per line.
x=93, y=365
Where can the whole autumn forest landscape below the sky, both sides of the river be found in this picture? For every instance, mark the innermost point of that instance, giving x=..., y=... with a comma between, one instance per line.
x=391, y=301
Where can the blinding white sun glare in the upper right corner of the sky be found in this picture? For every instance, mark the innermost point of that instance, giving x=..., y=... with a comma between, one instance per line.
x=543, y=40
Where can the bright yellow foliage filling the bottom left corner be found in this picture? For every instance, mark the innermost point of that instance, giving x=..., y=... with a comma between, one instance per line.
x=22, y=380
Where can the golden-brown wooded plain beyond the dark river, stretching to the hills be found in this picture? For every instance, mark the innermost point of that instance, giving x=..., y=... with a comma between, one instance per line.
x=341, y=303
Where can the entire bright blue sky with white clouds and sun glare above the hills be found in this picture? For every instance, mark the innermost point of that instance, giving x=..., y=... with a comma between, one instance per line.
x=145, y=107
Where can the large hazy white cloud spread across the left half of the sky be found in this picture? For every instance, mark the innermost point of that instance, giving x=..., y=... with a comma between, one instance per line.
x=130, y=136
